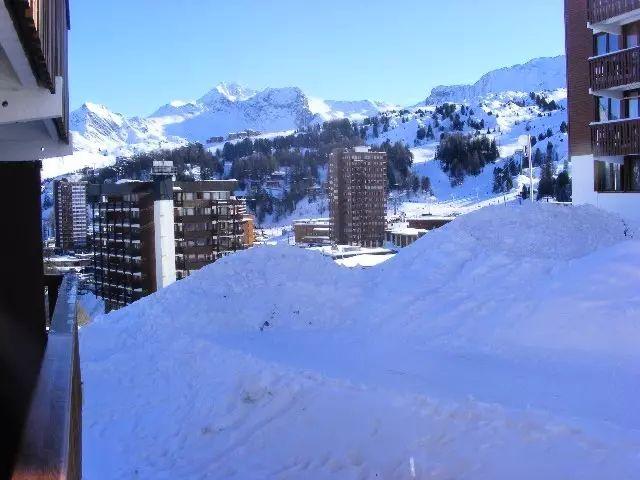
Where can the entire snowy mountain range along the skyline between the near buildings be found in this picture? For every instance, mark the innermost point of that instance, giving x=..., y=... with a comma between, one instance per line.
x=101, y=135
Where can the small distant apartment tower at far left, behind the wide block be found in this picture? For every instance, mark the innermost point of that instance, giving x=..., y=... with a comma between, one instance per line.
x=70, y=211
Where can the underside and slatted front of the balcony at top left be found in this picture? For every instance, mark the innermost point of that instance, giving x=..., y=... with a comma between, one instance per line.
x=34, y=91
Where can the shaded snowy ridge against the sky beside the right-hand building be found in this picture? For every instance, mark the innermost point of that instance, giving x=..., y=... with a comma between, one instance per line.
x=540, y=74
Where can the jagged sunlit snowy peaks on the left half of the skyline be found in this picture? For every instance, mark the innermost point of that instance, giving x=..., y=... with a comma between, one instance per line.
x=227, y=108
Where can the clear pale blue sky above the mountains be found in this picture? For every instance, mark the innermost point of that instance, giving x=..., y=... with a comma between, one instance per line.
x=135, y=55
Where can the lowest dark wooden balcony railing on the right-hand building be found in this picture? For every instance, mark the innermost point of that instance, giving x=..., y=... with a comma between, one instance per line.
x=616, y=138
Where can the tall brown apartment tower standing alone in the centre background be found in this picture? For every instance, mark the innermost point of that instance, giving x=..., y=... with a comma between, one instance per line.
x=358, y=196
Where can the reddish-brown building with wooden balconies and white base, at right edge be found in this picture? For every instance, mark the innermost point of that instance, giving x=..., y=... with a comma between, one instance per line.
x=603, y=82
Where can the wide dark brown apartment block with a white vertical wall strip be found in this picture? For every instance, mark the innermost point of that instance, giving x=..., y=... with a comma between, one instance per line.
x=147, y=235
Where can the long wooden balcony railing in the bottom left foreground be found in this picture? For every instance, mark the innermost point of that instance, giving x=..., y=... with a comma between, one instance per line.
x=51, y=446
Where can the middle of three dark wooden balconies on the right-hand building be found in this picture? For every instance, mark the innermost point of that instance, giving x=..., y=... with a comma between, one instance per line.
x=615, y=71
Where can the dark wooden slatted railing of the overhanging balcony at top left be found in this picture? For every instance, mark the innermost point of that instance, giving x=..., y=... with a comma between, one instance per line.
x=43, y=27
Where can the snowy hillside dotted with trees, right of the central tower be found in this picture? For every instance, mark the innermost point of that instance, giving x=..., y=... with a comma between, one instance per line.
x=500, y=101
